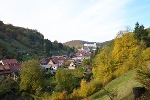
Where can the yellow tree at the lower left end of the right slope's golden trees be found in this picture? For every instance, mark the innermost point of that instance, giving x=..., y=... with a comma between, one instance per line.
x=102, y=69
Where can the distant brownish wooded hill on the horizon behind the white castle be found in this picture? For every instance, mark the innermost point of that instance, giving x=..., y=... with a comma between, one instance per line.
x=79, y=43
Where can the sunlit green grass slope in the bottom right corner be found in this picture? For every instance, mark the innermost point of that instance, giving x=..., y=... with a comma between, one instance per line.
x=119, y=89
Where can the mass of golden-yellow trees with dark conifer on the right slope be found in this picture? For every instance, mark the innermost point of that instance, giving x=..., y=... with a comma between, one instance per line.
x=126, y=52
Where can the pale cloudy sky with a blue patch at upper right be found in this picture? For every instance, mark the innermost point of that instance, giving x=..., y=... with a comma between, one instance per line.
x=67, y=20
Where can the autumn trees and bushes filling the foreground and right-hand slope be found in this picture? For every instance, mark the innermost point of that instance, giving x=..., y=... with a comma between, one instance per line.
x=128, y=51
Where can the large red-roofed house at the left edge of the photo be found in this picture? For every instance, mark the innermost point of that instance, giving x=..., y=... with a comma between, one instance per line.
x=9, y=67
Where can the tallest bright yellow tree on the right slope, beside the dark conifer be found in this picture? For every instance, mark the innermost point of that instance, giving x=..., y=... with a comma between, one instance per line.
x=126, y=53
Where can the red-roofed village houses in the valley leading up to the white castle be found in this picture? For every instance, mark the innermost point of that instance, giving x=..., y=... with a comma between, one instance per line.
x=12, y=67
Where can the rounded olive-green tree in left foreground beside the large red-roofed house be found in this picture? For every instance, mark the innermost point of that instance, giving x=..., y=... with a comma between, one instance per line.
x=31, y=76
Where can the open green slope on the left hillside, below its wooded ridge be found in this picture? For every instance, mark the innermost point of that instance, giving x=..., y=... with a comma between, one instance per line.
x=11, y=48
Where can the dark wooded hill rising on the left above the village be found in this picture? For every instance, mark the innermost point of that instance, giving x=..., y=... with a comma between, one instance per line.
x=23, y=43
